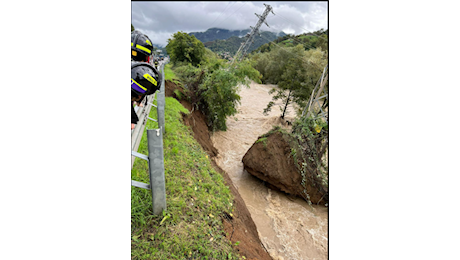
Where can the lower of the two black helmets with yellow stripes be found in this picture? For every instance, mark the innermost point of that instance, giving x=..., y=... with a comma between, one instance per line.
x=145, y=79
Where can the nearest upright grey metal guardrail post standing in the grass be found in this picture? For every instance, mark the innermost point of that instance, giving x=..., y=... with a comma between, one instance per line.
x=156, y=170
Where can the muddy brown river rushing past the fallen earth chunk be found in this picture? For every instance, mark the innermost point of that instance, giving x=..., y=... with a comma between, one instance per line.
x=288, y=228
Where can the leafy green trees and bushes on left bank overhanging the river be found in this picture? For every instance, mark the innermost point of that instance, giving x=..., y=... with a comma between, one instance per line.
x=210, y=83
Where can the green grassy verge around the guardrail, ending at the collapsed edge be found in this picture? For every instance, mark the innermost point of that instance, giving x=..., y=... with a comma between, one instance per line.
x=196, y=198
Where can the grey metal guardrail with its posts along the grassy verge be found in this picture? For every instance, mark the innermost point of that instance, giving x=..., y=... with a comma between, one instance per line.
x=155, y=157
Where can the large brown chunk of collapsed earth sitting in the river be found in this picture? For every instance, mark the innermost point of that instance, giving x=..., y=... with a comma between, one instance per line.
x=271, y=160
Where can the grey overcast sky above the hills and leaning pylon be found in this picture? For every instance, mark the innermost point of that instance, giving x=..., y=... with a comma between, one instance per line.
x=159, y=20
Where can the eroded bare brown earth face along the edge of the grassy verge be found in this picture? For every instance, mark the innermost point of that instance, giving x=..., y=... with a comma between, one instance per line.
x=240, y=227
